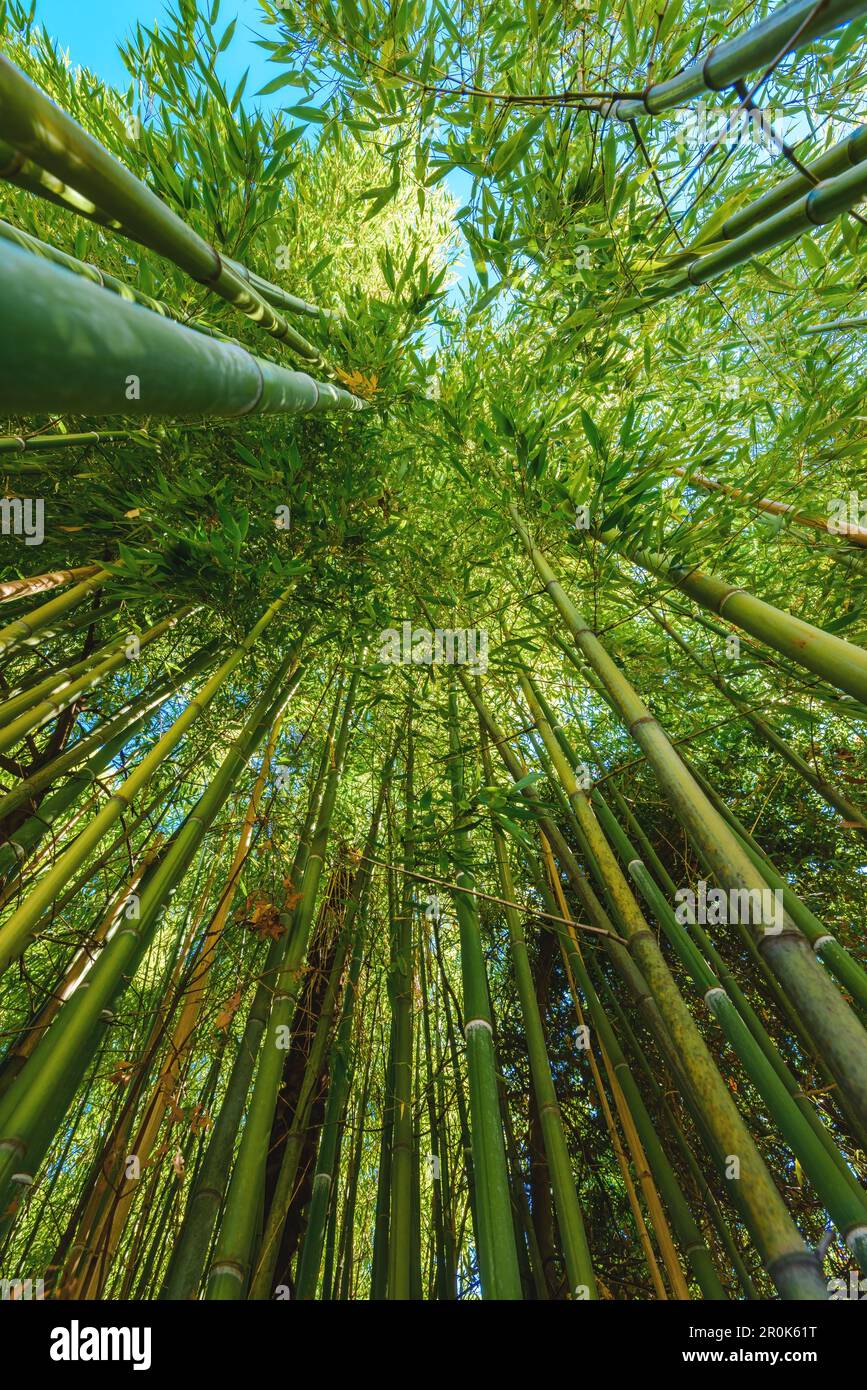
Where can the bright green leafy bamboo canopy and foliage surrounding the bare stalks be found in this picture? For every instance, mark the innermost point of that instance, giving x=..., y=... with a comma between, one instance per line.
x=509, y=355
